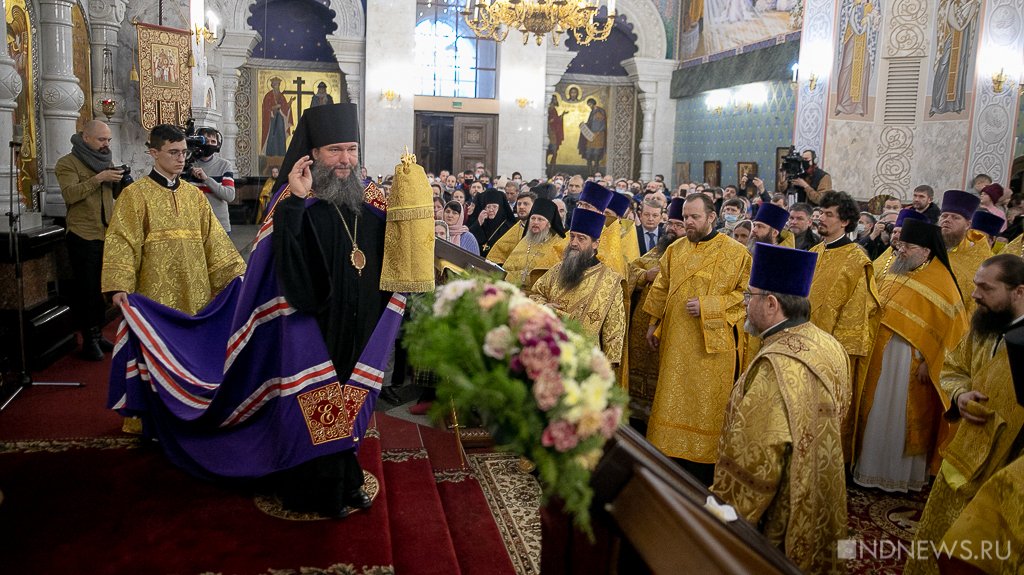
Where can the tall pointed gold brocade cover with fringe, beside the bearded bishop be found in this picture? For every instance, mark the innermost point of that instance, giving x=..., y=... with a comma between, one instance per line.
x=409, y=236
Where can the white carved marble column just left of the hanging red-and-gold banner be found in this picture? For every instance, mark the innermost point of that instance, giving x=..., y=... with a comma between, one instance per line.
x=105, y=21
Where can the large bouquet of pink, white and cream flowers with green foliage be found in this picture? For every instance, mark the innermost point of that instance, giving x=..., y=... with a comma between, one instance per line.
x=543, y=390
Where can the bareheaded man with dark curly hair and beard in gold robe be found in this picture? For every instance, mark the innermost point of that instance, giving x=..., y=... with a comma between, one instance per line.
x=844, y=297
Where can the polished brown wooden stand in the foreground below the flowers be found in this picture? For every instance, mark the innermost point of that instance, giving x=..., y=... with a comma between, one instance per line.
x=650, y=517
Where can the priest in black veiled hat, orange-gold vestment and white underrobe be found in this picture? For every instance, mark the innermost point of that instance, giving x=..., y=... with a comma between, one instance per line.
x=899, y=412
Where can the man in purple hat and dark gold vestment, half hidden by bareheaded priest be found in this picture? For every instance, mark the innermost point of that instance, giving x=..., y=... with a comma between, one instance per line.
x=644, y=361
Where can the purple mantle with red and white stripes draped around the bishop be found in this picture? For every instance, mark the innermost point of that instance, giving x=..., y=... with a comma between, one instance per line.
x=246, y=387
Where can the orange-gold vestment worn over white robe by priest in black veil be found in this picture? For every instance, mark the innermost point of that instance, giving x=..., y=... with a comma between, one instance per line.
x=924, y=308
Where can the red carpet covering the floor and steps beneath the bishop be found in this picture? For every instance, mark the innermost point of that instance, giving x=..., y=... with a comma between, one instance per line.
x=79, y=497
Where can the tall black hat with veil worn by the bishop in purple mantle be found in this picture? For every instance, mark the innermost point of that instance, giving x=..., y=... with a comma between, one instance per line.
x=320, y=126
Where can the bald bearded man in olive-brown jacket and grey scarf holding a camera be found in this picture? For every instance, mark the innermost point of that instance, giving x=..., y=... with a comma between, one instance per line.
x=90, y=183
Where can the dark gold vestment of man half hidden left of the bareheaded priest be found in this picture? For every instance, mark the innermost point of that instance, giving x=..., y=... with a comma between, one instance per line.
x=644, y=361
